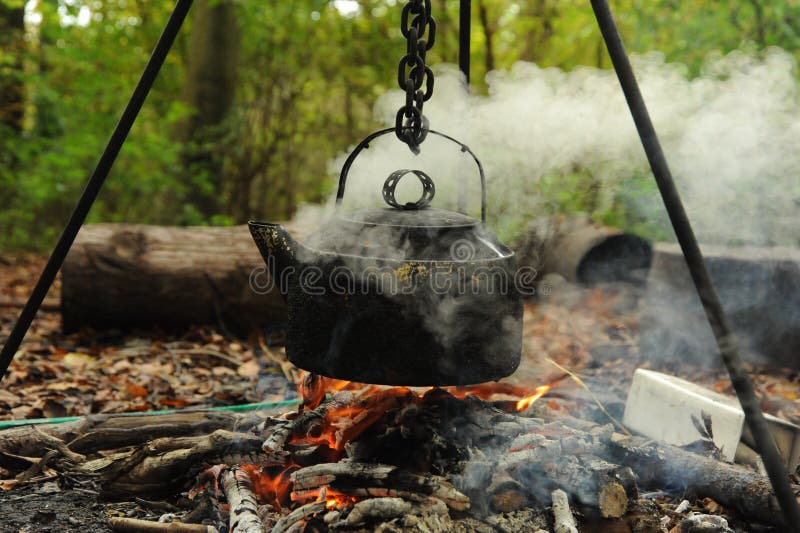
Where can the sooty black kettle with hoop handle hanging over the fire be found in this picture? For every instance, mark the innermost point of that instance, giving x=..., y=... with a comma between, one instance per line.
x=402, y=295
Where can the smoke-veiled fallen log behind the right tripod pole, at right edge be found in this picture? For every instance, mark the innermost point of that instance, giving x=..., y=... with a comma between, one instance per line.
x=759, y=288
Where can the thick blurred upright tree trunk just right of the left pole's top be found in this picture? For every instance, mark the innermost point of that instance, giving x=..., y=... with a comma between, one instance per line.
x=209, y=90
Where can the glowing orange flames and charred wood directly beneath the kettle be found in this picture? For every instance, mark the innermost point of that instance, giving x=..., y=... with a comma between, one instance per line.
x=355, y=454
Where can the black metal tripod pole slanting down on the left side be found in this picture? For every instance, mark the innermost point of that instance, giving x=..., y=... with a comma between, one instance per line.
x=94, y=185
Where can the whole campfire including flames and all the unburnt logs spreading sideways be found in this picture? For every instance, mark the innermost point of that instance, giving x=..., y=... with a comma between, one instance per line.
x=356, y=457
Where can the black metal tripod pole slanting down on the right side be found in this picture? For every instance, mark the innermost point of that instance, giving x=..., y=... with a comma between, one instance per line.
x=726, y=341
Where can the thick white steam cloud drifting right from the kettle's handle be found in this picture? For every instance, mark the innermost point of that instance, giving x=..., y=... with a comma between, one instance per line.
x=731, y=136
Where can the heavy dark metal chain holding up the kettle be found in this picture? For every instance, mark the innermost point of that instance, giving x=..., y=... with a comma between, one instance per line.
x=411, y=126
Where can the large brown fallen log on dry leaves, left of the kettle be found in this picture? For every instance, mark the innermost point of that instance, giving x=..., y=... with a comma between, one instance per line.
x=123, y=276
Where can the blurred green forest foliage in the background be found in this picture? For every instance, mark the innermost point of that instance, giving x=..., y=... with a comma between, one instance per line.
x=308, y=76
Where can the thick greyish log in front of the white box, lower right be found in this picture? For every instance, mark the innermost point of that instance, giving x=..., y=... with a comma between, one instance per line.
x=734, y=486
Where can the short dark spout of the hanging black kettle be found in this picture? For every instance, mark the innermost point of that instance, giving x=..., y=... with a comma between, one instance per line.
x=279, y=250
